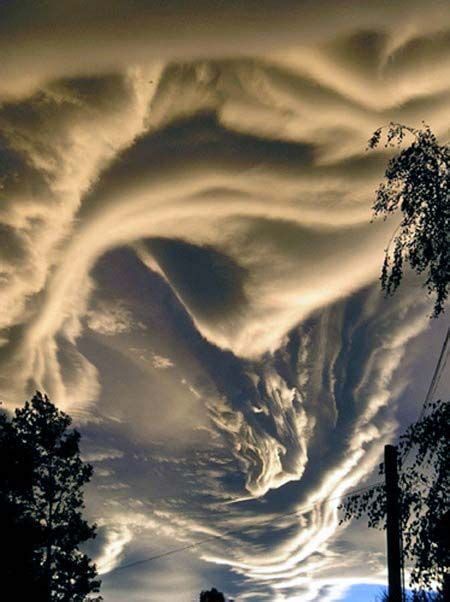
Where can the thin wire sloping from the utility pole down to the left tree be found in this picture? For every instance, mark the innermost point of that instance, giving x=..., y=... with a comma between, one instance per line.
x=240, y=530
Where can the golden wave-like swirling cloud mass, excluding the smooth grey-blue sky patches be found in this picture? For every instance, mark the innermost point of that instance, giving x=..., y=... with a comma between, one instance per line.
x=237, y=177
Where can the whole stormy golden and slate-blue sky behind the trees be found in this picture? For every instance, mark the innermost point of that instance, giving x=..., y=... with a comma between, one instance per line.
x=188, y=267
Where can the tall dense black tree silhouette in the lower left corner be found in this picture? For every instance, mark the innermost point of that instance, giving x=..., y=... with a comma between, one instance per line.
x=41, y=504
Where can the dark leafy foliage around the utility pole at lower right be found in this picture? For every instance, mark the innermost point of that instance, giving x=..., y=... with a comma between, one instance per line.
x=425, y=493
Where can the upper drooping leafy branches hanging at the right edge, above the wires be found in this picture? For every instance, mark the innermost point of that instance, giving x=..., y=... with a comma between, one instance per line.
x=417, y=182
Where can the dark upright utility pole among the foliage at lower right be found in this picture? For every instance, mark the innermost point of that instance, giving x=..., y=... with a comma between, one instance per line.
x=393, y=524
